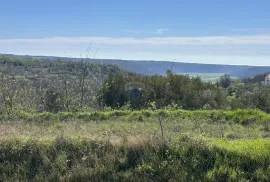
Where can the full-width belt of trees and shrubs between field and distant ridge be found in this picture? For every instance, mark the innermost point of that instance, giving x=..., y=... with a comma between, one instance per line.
x=55, y=86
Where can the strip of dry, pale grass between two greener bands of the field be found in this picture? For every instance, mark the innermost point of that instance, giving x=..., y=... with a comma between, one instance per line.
x=117, y=130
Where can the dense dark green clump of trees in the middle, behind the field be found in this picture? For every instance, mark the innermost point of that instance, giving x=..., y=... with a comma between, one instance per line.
x=188, y=93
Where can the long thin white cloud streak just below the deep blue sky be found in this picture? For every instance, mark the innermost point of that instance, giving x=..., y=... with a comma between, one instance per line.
x=152, y=41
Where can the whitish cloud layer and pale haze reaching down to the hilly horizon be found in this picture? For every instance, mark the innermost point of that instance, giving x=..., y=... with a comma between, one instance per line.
x=253, y=49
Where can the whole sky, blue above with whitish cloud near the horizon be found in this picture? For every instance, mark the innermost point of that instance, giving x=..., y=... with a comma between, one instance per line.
x=208, y=31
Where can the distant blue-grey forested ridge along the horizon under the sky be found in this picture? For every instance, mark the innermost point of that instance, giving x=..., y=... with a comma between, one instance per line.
x=160, y=67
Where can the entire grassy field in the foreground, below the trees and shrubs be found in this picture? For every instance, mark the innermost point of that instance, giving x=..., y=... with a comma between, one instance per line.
x=200, y=145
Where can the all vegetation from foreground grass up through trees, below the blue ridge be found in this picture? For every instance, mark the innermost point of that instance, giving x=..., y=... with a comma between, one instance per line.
x=80, y=121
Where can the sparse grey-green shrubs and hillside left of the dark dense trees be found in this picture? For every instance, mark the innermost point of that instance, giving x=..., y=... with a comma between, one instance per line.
x=44, y=85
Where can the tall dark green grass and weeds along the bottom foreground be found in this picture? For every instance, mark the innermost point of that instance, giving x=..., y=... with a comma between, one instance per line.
x=188, y=159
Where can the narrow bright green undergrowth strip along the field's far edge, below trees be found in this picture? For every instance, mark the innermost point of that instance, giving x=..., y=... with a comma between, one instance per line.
x=240, y=116
